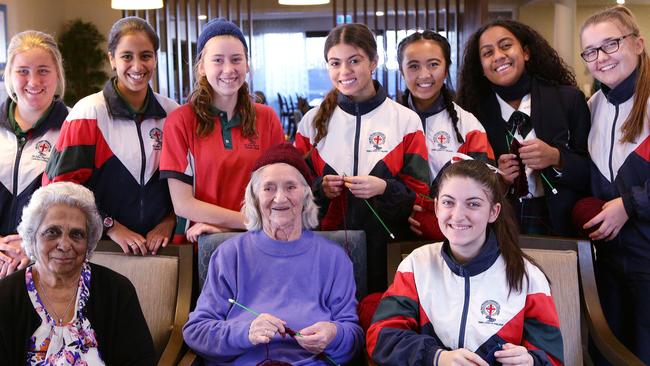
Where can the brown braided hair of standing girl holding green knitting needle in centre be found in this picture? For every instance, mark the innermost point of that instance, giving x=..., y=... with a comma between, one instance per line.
x=356, y=35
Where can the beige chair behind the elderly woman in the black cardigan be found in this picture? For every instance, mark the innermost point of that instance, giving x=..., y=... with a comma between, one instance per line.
x=164, y=285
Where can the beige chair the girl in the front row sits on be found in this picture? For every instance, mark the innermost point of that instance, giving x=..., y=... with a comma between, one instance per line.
x=568, y=263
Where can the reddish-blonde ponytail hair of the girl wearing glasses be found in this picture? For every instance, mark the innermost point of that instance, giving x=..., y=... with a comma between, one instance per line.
x=633, y=126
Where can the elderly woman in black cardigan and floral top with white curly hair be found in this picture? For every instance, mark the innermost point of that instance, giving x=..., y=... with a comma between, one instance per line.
x=63, y=309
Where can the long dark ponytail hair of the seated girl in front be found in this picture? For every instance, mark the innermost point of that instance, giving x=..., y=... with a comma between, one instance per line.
x=505, y=226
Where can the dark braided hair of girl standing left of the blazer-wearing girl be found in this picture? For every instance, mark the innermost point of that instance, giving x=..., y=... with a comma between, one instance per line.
x=447, y=95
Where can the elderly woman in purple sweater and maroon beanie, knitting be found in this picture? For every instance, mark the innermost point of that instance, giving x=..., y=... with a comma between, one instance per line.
x=295, y=278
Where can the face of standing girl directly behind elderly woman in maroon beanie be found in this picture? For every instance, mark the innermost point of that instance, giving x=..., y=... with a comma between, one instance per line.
x=350, y=71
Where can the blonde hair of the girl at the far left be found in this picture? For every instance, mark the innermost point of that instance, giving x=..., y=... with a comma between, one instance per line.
x=25, y=41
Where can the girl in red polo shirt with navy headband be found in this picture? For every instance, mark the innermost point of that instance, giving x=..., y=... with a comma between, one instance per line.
x=212, y=142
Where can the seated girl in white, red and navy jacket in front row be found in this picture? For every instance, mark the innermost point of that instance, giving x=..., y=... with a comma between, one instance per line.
x=473, y=299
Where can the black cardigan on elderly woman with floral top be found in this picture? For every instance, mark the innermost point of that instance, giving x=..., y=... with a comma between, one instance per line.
x=113, y=310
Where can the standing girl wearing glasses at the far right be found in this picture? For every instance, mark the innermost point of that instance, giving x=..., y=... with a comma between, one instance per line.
x=619, y=143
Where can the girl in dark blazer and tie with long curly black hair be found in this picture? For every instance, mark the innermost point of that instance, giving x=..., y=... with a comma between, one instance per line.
x=536, y=119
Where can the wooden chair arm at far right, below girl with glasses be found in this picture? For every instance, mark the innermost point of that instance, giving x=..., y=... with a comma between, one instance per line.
x=608, y=345
